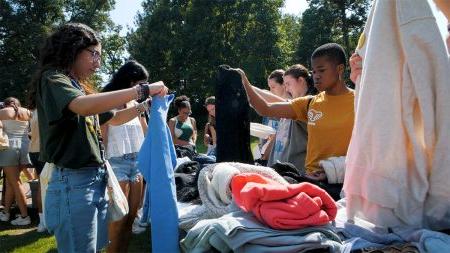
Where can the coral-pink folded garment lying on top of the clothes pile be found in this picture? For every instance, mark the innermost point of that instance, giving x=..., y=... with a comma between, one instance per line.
x=283, y=206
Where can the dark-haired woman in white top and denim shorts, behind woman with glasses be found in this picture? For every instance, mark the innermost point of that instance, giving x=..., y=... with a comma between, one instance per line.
x=122, y=143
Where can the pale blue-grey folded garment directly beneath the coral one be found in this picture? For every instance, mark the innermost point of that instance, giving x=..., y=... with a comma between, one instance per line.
x=242, y=232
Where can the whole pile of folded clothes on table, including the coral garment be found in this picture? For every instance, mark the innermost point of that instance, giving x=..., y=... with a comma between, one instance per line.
x=235, y=207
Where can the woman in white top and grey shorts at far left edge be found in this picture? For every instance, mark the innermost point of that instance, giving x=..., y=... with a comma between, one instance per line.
x=15, y=124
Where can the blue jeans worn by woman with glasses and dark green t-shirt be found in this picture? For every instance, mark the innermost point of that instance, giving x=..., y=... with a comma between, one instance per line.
x=75, y=209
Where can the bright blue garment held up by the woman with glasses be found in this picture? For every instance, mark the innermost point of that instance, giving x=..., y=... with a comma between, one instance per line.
x=157, y=160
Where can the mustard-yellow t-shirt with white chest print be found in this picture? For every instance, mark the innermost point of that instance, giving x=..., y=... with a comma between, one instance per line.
x=330, y=123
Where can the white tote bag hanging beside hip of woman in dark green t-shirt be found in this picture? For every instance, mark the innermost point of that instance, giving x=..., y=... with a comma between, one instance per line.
x=118, y=204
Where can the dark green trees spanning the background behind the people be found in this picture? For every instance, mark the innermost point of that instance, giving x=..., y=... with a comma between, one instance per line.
x=181, y=42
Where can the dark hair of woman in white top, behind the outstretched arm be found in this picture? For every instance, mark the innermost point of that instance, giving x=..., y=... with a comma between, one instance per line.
x=132, y=71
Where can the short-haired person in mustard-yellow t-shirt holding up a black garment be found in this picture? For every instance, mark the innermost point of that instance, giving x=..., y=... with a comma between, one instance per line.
x=329, y=114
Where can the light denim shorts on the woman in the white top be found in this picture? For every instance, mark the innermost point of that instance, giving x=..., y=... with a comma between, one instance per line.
x=125, y=168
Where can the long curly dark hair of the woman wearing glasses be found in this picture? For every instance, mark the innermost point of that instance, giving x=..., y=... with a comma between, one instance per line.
x=59, y=52
